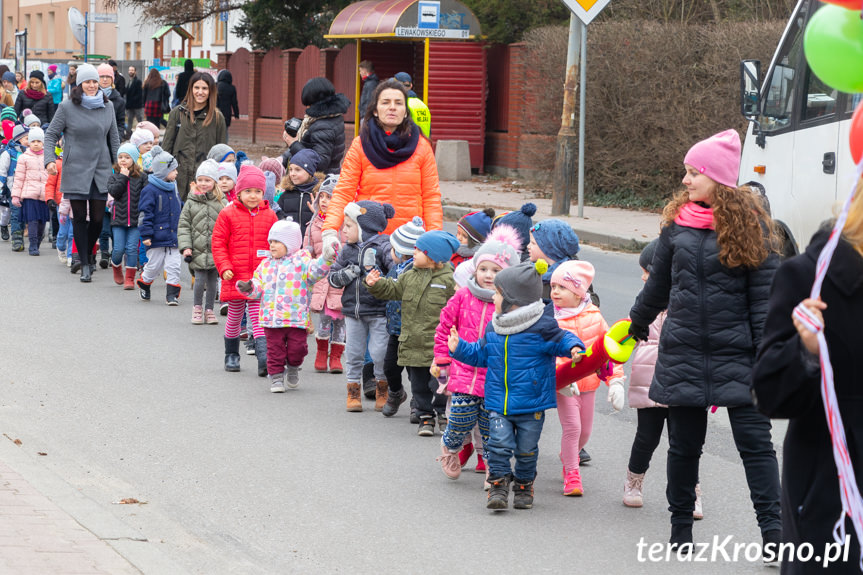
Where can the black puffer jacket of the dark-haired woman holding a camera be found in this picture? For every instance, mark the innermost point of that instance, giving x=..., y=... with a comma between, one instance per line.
x=325, y=132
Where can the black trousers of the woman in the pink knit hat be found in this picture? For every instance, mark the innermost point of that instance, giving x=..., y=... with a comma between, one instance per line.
x=687, y=428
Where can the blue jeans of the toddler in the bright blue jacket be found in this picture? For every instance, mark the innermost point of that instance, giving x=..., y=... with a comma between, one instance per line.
x=516, y=435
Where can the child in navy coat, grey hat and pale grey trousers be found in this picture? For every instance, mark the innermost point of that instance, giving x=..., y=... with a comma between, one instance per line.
x=159, y=217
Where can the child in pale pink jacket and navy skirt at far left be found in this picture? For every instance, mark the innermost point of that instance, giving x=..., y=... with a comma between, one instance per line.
x=28, y=190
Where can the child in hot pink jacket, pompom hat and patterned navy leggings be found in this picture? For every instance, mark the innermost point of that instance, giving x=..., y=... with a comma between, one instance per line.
x=470, y=310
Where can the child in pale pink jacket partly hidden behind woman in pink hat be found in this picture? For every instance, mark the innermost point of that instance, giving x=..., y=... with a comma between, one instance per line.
x=651, y=415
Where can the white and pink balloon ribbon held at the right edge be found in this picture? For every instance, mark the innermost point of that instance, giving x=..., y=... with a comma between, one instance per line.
x=852, y=502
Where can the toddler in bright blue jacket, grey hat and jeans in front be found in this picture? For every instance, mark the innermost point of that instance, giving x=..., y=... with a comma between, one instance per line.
x=519, y=349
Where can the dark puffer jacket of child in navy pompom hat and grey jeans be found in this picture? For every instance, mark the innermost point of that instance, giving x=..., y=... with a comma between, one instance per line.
x=356, y=300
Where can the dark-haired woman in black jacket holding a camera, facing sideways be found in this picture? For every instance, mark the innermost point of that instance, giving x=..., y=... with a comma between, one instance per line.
x=323, y=128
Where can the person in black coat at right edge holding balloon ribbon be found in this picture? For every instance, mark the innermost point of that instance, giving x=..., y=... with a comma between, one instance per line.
x=786, y=384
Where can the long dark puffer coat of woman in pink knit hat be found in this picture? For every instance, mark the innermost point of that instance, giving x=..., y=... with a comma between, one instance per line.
x=715, y=320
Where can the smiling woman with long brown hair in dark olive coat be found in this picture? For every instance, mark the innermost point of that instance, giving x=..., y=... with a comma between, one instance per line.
x=195, y=126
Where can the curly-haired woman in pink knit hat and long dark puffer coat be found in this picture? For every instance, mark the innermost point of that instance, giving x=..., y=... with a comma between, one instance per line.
x=712, y=270
